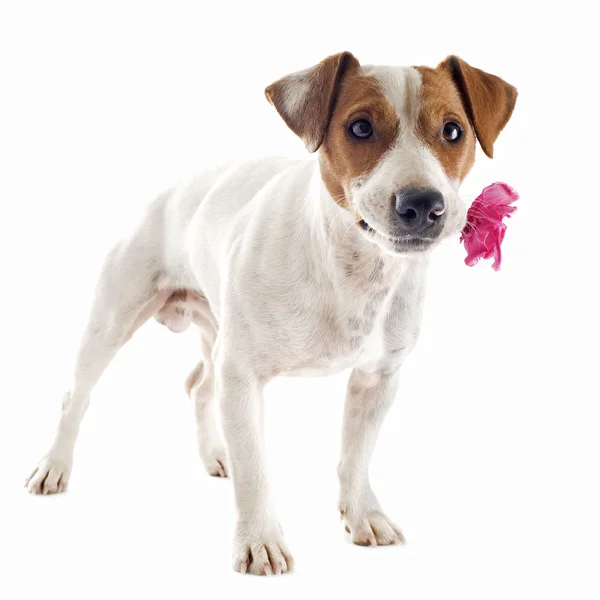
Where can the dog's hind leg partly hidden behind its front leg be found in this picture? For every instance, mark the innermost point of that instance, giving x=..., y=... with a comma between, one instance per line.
x=200, y=387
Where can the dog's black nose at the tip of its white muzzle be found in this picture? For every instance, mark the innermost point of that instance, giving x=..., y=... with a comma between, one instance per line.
x=420, y=209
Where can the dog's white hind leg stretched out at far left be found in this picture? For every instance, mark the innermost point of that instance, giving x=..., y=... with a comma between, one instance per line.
x=125, y=297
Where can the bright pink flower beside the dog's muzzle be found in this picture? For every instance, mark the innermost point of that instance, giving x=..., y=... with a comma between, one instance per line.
x=484, y=231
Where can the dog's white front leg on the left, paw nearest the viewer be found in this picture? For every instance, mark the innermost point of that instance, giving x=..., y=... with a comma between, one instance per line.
x=259, y=545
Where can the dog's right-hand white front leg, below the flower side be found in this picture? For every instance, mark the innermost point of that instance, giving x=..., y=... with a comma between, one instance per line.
x=368, y=399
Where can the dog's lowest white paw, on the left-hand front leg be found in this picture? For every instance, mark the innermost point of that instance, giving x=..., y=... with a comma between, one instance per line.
x=261, y=554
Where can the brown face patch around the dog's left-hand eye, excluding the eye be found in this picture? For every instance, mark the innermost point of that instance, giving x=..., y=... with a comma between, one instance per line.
x=345, y=159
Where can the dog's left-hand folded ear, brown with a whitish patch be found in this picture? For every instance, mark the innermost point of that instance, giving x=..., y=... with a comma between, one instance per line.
x=306, y=99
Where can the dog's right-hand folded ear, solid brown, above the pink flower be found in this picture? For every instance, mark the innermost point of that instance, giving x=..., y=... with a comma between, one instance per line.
x=488, y=100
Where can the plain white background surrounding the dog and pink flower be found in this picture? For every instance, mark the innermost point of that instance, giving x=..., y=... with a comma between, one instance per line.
x=489, y=460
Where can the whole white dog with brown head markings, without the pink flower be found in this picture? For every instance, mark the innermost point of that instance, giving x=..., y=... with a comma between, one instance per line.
x=298, y=267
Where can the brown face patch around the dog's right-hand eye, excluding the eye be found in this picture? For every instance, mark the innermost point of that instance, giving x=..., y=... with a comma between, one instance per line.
x=441, y=103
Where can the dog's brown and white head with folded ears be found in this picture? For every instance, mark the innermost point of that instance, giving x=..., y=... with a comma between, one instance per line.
x=396, y=142
